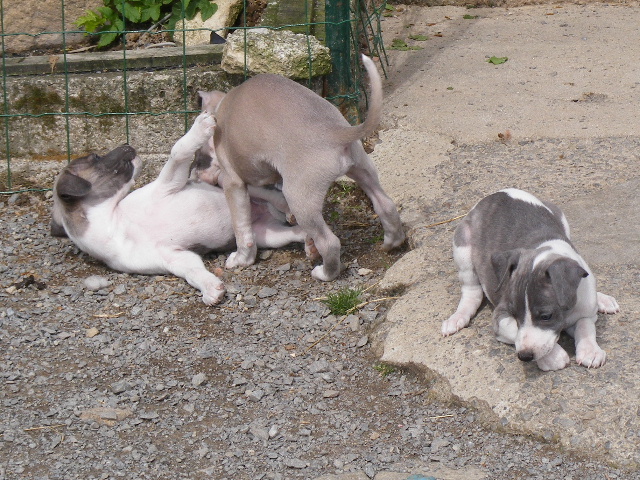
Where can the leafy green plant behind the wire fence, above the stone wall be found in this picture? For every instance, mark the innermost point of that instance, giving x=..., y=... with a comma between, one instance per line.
x=109, y=21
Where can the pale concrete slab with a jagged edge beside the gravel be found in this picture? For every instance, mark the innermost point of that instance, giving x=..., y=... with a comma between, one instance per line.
x=565, y=104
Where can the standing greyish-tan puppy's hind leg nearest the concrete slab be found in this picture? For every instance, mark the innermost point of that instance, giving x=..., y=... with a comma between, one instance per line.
x=364, y=174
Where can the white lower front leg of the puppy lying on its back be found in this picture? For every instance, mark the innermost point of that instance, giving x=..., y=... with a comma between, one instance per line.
x=188, y=265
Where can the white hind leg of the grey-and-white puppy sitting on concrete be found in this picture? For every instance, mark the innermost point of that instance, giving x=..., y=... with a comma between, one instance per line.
x=472, y=293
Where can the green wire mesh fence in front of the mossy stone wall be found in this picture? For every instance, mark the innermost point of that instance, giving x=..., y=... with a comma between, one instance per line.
x=69, y=101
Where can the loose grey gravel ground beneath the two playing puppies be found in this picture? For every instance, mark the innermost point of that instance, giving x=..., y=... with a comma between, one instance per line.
x=108, y=375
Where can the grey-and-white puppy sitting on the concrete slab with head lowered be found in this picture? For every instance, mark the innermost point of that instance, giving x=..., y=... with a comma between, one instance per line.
x=515, y=249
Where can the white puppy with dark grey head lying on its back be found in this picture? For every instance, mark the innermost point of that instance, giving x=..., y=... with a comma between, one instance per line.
x=158, y=228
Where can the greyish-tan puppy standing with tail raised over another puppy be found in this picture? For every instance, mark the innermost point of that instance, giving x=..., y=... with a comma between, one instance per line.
x=271, y=130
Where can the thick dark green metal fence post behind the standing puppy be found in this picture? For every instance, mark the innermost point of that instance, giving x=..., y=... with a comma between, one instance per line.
x=340, y=79
